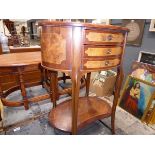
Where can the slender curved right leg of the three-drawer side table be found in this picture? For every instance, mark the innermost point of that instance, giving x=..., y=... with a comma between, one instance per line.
x=119, y=80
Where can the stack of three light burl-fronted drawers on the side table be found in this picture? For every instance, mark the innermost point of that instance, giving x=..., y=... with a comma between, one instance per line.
x=102, y=48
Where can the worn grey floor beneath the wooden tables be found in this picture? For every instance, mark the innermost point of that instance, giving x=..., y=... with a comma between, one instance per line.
x=34, y=121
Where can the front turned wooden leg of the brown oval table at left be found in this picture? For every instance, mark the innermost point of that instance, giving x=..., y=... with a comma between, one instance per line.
x=23, y=89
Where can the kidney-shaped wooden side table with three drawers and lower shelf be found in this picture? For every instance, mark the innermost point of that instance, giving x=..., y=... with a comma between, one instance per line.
x=78, y=49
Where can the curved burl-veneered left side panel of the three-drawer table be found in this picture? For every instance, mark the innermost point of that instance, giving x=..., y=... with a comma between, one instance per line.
x=57, y=52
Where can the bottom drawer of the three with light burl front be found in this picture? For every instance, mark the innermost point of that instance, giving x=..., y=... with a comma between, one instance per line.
x=90, y=64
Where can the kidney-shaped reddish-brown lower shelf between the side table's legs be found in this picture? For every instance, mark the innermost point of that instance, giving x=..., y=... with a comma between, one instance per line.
x=89, y=109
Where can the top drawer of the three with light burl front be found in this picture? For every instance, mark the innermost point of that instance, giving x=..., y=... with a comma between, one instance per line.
x=103, y=37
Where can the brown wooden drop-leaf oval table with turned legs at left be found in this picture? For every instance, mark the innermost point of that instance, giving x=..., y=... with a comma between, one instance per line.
x=20, y=69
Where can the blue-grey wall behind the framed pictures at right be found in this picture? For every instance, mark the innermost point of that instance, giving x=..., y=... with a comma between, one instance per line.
x=132, y=52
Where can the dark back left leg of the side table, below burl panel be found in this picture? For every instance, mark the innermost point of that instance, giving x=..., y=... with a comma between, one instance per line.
x=54, y=87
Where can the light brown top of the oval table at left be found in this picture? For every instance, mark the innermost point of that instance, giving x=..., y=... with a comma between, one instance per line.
x=20, y=59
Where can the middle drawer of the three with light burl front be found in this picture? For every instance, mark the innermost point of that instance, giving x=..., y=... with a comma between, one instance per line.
x=101, y=51
